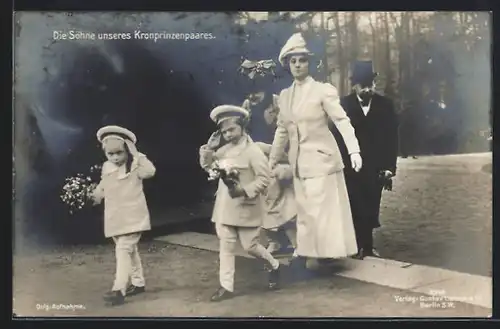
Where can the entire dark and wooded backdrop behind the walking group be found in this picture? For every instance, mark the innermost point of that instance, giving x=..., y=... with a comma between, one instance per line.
x=163, y=91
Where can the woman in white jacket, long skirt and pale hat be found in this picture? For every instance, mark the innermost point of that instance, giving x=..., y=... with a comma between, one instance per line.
x=325, y=228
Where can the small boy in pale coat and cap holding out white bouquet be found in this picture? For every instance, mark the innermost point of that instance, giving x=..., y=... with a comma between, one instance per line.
x=126, y=213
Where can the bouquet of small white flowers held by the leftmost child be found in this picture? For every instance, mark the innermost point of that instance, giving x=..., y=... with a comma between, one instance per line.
x=77, y=190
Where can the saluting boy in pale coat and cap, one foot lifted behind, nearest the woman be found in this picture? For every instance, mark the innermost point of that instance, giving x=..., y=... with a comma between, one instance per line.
x=239, y=209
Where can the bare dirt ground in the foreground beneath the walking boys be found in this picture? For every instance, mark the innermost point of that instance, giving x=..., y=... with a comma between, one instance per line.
x=180, y=281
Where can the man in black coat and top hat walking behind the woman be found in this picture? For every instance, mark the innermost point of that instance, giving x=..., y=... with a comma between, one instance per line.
x=376, y=125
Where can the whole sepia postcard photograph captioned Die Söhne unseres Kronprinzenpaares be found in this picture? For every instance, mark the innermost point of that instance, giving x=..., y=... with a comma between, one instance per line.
x=252, y=164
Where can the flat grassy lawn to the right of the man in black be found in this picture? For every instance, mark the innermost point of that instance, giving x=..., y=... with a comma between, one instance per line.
x=440, y=213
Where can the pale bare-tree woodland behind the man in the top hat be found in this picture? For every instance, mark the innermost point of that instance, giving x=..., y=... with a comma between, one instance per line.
x=436, y=66
